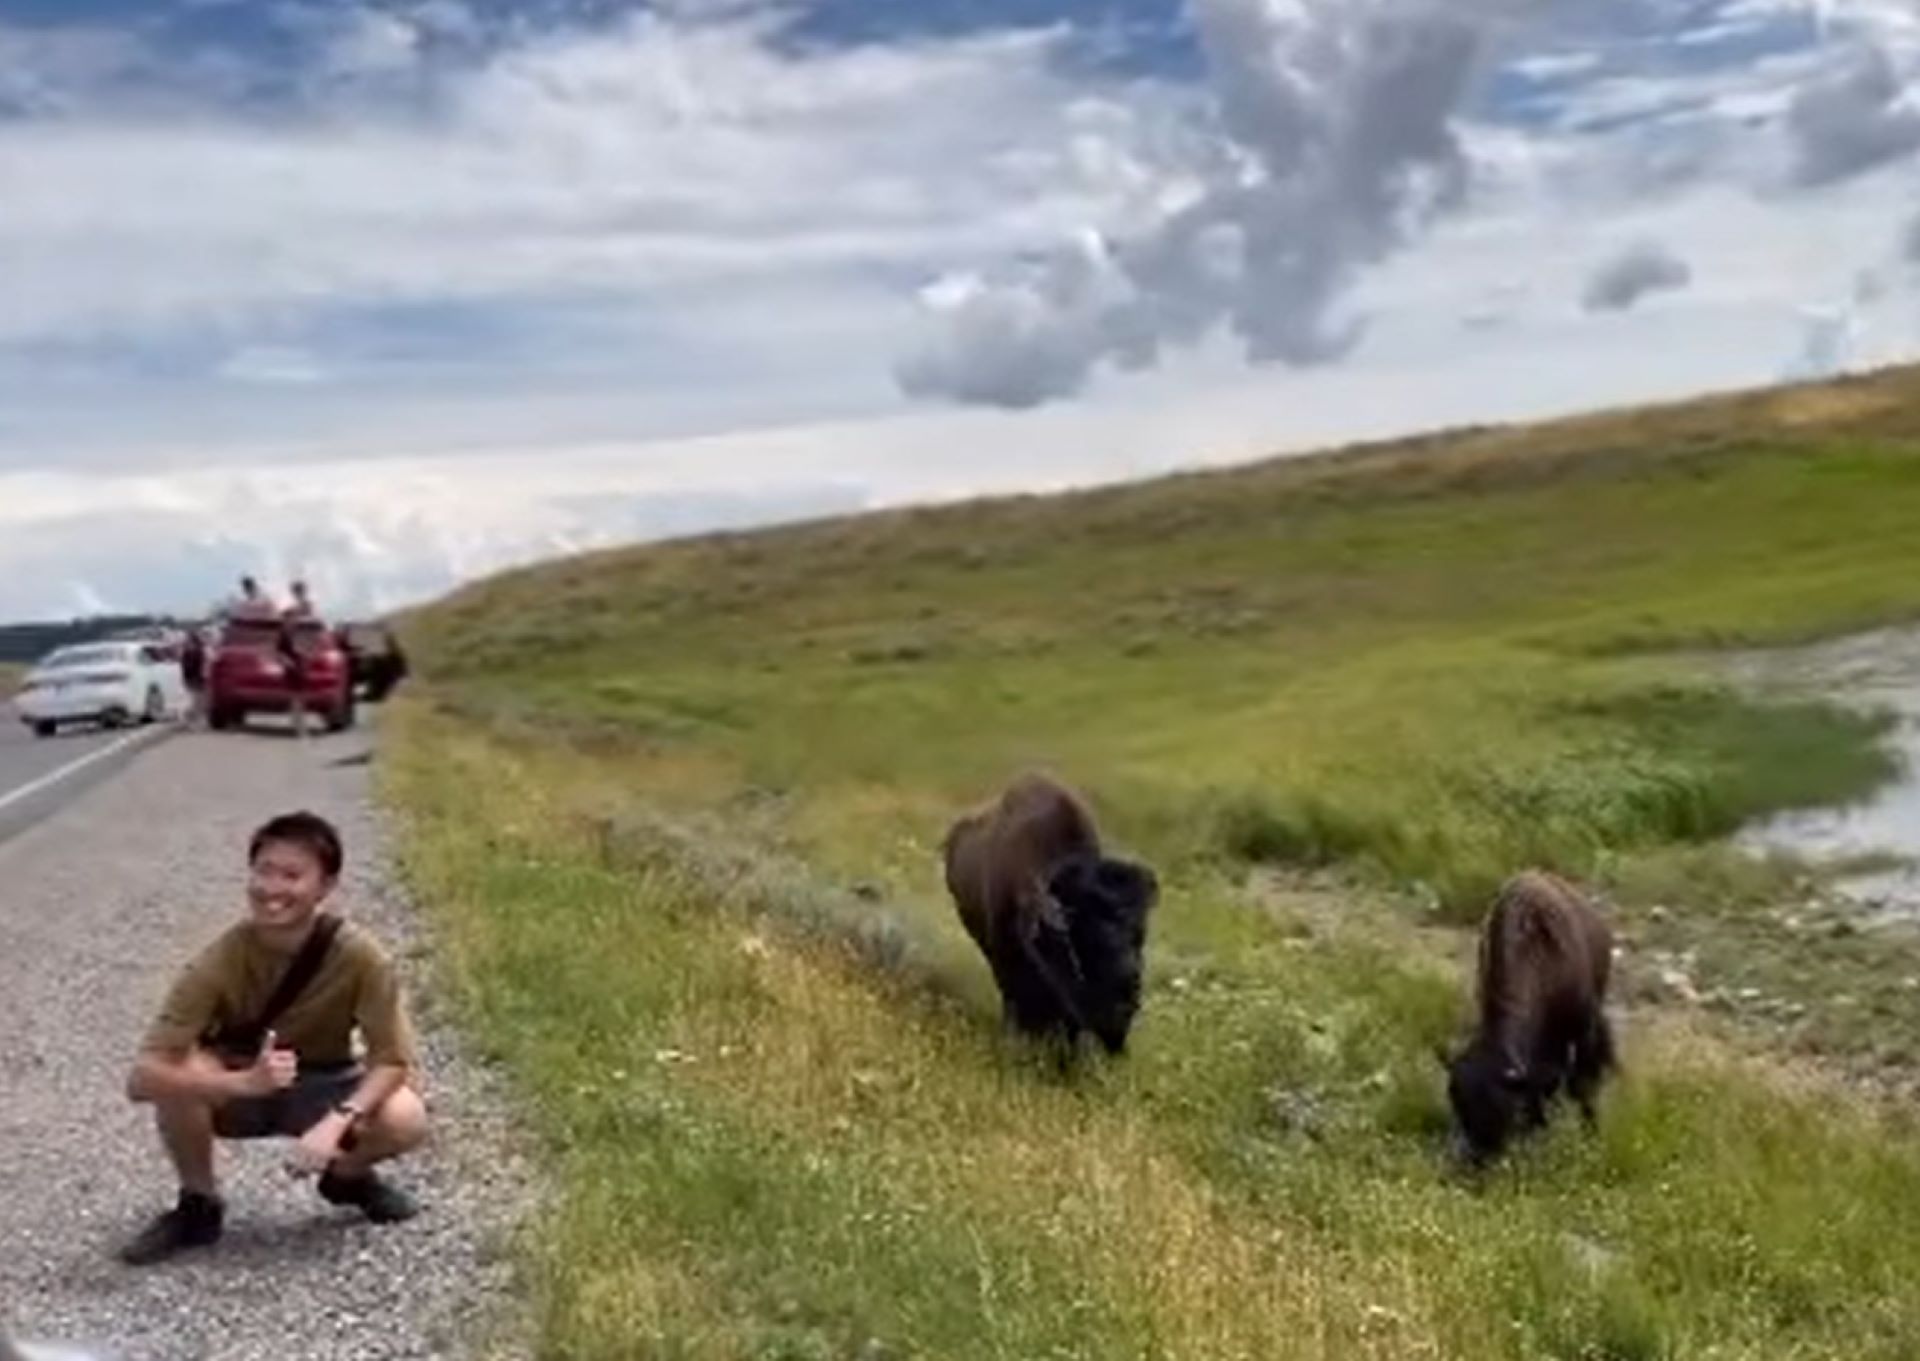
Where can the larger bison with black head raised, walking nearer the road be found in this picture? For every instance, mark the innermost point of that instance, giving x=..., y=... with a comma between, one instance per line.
x=1061, y=922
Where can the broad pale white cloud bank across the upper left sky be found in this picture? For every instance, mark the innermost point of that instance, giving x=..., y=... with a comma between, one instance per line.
x=625, y=164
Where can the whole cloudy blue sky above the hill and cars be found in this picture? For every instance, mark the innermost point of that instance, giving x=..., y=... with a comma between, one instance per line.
x=569, y=272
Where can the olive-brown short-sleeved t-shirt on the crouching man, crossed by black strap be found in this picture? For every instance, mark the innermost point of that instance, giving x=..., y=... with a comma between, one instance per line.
x=231, y=980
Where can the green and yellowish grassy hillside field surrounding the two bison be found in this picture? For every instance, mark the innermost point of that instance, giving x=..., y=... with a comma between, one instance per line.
x=677, y=817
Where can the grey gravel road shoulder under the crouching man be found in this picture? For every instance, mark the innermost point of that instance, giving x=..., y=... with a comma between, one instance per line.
x=101, y=905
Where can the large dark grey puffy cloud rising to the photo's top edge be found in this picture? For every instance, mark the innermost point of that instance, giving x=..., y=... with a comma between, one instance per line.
x=1337, y=147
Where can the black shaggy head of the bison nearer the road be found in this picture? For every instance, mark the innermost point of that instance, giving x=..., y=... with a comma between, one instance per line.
x=1107, y=905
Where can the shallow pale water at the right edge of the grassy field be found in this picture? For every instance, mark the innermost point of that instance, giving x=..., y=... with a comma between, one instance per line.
x=1877, y=671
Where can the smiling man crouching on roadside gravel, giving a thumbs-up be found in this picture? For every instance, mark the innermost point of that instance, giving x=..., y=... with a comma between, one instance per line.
x=256, y=1041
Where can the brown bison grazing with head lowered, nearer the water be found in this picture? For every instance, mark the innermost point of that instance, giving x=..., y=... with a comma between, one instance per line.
x=1547, y=955
